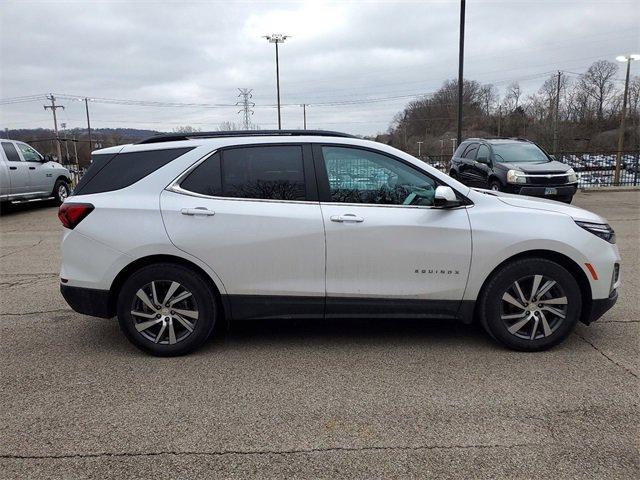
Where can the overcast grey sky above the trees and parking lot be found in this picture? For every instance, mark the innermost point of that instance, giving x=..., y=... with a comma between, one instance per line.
x=202, y=51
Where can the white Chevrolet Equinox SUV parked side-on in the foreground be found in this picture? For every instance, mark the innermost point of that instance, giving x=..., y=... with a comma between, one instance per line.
x=178, y=232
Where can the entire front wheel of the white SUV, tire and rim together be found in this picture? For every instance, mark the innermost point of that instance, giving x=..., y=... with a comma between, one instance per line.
x=530, y=304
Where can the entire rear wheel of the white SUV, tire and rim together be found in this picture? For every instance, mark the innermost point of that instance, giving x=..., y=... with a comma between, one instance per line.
x=166, y=309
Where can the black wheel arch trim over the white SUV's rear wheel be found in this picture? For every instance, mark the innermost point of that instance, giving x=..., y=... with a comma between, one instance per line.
x=142, y=262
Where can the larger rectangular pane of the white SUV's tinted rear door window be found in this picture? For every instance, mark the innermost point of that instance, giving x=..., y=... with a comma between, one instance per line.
x=273, y=173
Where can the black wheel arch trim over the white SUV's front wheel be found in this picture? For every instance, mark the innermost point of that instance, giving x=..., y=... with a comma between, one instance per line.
x=559, y=258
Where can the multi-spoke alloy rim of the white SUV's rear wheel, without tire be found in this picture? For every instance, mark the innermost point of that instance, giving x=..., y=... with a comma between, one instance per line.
x=164, y=312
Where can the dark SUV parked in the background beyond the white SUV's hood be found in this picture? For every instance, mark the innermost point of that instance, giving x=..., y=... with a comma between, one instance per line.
x=513, y=165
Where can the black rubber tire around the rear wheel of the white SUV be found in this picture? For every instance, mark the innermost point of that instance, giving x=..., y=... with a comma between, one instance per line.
x=163, y=273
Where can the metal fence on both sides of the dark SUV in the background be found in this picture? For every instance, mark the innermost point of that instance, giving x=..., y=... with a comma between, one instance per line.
x=593, y=169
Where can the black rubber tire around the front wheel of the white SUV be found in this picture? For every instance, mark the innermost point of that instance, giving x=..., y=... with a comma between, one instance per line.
x=491, y=305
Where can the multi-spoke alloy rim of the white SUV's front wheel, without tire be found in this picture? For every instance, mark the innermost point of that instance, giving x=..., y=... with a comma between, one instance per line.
x=537, y=313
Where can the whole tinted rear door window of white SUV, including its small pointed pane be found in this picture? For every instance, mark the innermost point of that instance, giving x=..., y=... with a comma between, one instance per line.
x=264, y=172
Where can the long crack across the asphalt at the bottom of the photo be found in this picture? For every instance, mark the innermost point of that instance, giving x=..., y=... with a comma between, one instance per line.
x=220, y=453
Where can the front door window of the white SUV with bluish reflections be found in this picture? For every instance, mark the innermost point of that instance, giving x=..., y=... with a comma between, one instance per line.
x=361, y=176
